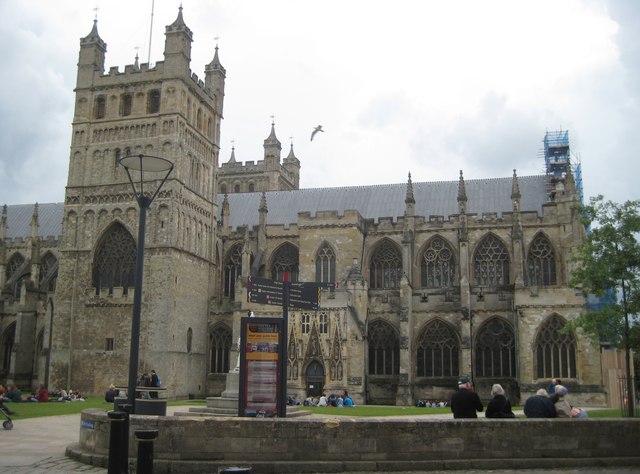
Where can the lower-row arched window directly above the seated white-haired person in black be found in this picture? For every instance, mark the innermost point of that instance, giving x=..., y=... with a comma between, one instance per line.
x=495, y=350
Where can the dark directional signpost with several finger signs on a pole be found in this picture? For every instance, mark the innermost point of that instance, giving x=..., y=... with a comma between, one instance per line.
x=297, y=295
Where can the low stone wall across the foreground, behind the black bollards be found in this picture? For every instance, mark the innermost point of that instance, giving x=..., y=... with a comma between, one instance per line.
x=342, y=443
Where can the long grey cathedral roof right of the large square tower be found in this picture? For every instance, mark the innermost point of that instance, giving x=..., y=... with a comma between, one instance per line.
x=388, y=200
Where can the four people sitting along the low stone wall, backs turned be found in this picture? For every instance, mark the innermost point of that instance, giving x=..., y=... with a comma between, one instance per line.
x=550, y=403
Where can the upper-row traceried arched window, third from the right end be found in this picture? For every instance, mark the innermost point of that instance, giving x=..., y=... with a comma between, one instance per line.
x=438, y=265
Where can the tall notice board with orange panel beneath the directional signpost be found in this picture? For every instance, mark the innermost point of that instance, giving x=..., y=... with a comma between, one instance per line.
x=261, y=355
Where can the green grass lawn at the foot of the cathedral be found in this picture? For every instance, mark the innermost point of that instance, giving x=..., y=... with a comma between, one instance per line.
x=33, y=409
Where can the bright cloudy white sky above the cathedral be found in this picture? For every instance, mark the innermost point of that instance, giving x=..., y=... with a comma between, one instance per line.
x=412, y=86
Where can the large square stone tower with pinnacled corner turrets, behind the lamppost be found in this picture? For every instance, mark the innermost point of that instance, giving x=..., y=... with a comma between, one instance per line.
x=163, y=111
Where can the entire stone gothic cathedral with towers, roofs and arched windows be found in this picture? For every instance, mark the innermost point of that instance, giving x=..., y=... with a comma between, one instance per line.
x=422, y=281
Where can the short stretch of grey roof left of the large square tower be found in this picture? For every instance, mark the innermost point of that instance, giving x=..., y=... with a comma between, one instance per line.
x=49, y=217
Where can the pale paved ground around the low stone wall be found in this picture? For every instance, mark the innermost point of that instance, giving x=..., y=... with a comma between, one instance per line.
x=37, y=446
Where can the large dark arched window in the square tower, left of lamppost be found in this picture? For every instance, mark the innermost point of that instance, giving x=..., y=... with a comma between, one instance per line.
x=114, y=263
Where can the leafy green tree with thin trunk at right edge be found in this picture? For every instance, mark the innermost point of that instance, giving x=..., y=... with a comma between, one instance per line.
x=608, y=263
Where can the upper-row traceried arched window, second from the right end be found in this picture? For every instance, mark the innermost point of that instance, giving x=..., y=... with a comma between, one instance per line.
x=491, y=262
